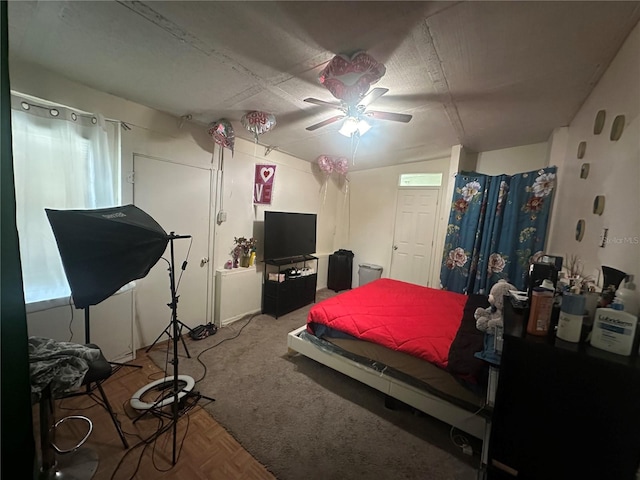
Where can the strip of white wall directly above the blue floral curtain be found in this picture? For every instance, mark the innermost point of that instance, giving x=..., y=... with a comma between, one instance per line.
x=513, y=160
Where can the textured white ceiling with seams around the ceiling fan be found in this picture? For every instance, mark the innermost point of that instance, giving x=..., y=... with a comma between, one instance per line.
x=487, y=75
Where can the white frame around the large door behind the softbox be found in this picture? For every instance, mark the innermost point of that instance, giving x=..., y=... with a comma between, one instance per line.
x=213, y=182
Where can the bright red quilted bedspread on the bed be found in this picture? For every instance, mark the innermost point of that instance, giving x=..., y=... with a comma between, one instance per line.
x=417, y=320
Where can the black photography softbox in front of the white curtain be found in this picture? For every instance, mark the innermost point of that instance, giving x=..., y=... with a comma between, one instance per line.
x=104, y=249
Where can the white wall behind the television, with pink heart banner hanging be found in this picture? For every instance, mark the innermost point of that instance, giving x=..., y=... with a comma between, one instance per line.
x=298, y=186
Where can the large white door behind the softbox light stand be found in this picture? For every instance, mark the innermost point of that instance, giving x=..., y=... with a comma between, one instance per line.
x=178, y=197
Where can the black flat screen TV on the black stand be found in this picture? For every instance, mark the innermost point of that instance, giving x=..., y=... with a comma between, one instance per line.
x=289, y=234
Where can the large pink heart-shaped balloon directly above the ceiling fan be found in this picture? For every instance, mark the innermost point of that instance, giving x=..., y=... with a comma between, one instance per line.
x=349, y=78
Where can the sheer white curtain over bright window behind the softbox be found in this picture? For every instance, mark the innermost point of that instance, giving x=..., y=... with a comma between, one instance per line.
x=63, y=159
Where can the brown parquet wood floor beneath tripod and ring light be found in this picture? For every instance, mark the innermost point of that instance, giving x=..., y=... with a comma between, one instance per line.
x=205, y=450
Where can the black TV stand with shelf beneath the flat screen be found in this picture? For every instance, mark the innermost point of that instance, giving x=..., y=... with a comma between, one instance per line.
x=284, y=292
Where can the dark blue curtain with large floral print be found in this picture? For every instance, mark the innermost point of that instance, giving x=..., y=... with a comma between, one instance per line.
x=497, y=228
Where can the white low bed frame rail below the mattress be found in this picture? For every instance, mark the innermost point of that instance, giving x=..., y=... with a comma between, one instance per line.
x=471, y=423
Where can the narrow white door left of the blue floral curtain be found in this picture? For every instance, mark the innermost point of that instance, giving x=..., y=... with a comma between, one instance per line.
x=413, y=244
